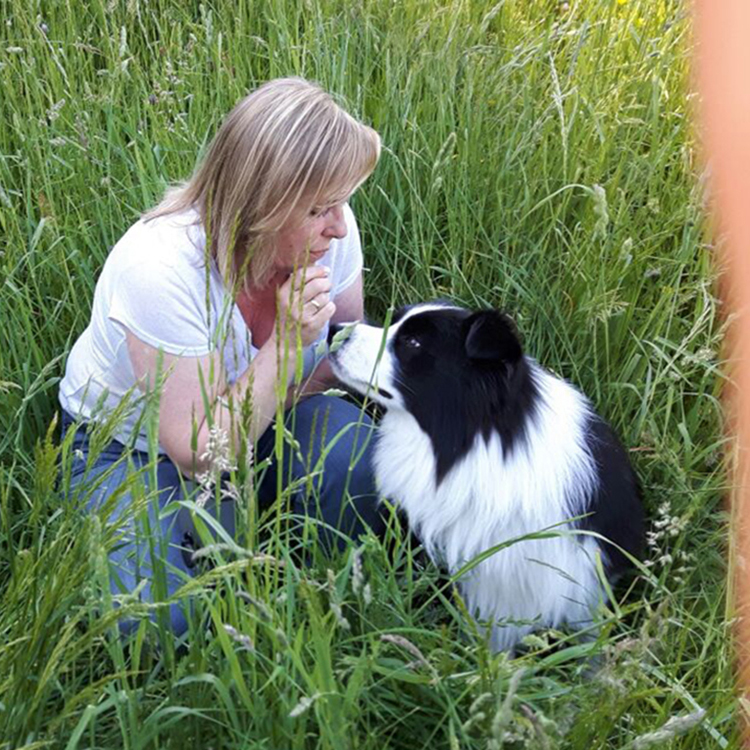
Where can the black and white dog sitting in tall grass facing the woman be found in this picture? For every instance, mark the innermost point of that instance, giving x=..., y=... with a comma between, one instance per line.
x=480, y=445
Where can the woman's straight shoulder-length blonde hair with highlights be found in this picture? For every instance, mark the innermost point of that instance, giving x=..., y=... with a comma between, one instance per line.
x=284, y=150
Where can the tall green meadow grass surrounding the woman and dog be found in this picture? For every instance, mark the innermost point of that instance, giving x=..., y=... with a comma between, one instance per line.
x=539, y=157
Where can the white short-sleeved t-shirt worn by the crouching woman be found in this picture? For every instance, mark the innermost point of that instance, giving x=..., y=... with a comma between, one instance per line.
x=157, y=284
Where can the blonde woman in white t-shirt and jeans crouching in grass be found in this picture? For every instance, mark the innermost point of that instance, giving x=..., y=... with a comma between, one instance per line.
x=215, y=299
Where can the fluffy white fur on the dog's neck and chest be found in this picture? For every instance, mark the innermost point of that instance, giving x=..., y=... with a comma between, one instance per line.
x=485, y=500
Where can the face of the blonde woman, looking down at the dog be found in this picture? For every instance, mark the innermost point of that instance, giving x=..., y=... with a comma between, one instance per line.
x=299, y=245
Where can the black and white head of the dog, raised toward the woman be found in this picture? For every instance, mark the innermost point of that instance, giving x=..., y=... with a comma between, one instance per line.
x=458, y=373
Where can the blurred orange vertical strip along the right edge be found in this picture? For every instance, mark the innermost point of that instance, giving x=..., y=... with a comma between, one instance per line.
x=722, y=54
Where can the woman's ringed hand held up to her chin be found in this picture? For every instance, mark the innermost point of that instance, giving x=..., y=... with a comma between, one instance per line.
x=304, y=304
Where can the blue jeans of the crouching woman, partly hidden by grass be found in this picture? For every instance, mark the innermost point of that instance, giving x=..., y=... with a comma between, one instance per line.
x=343, y=496
